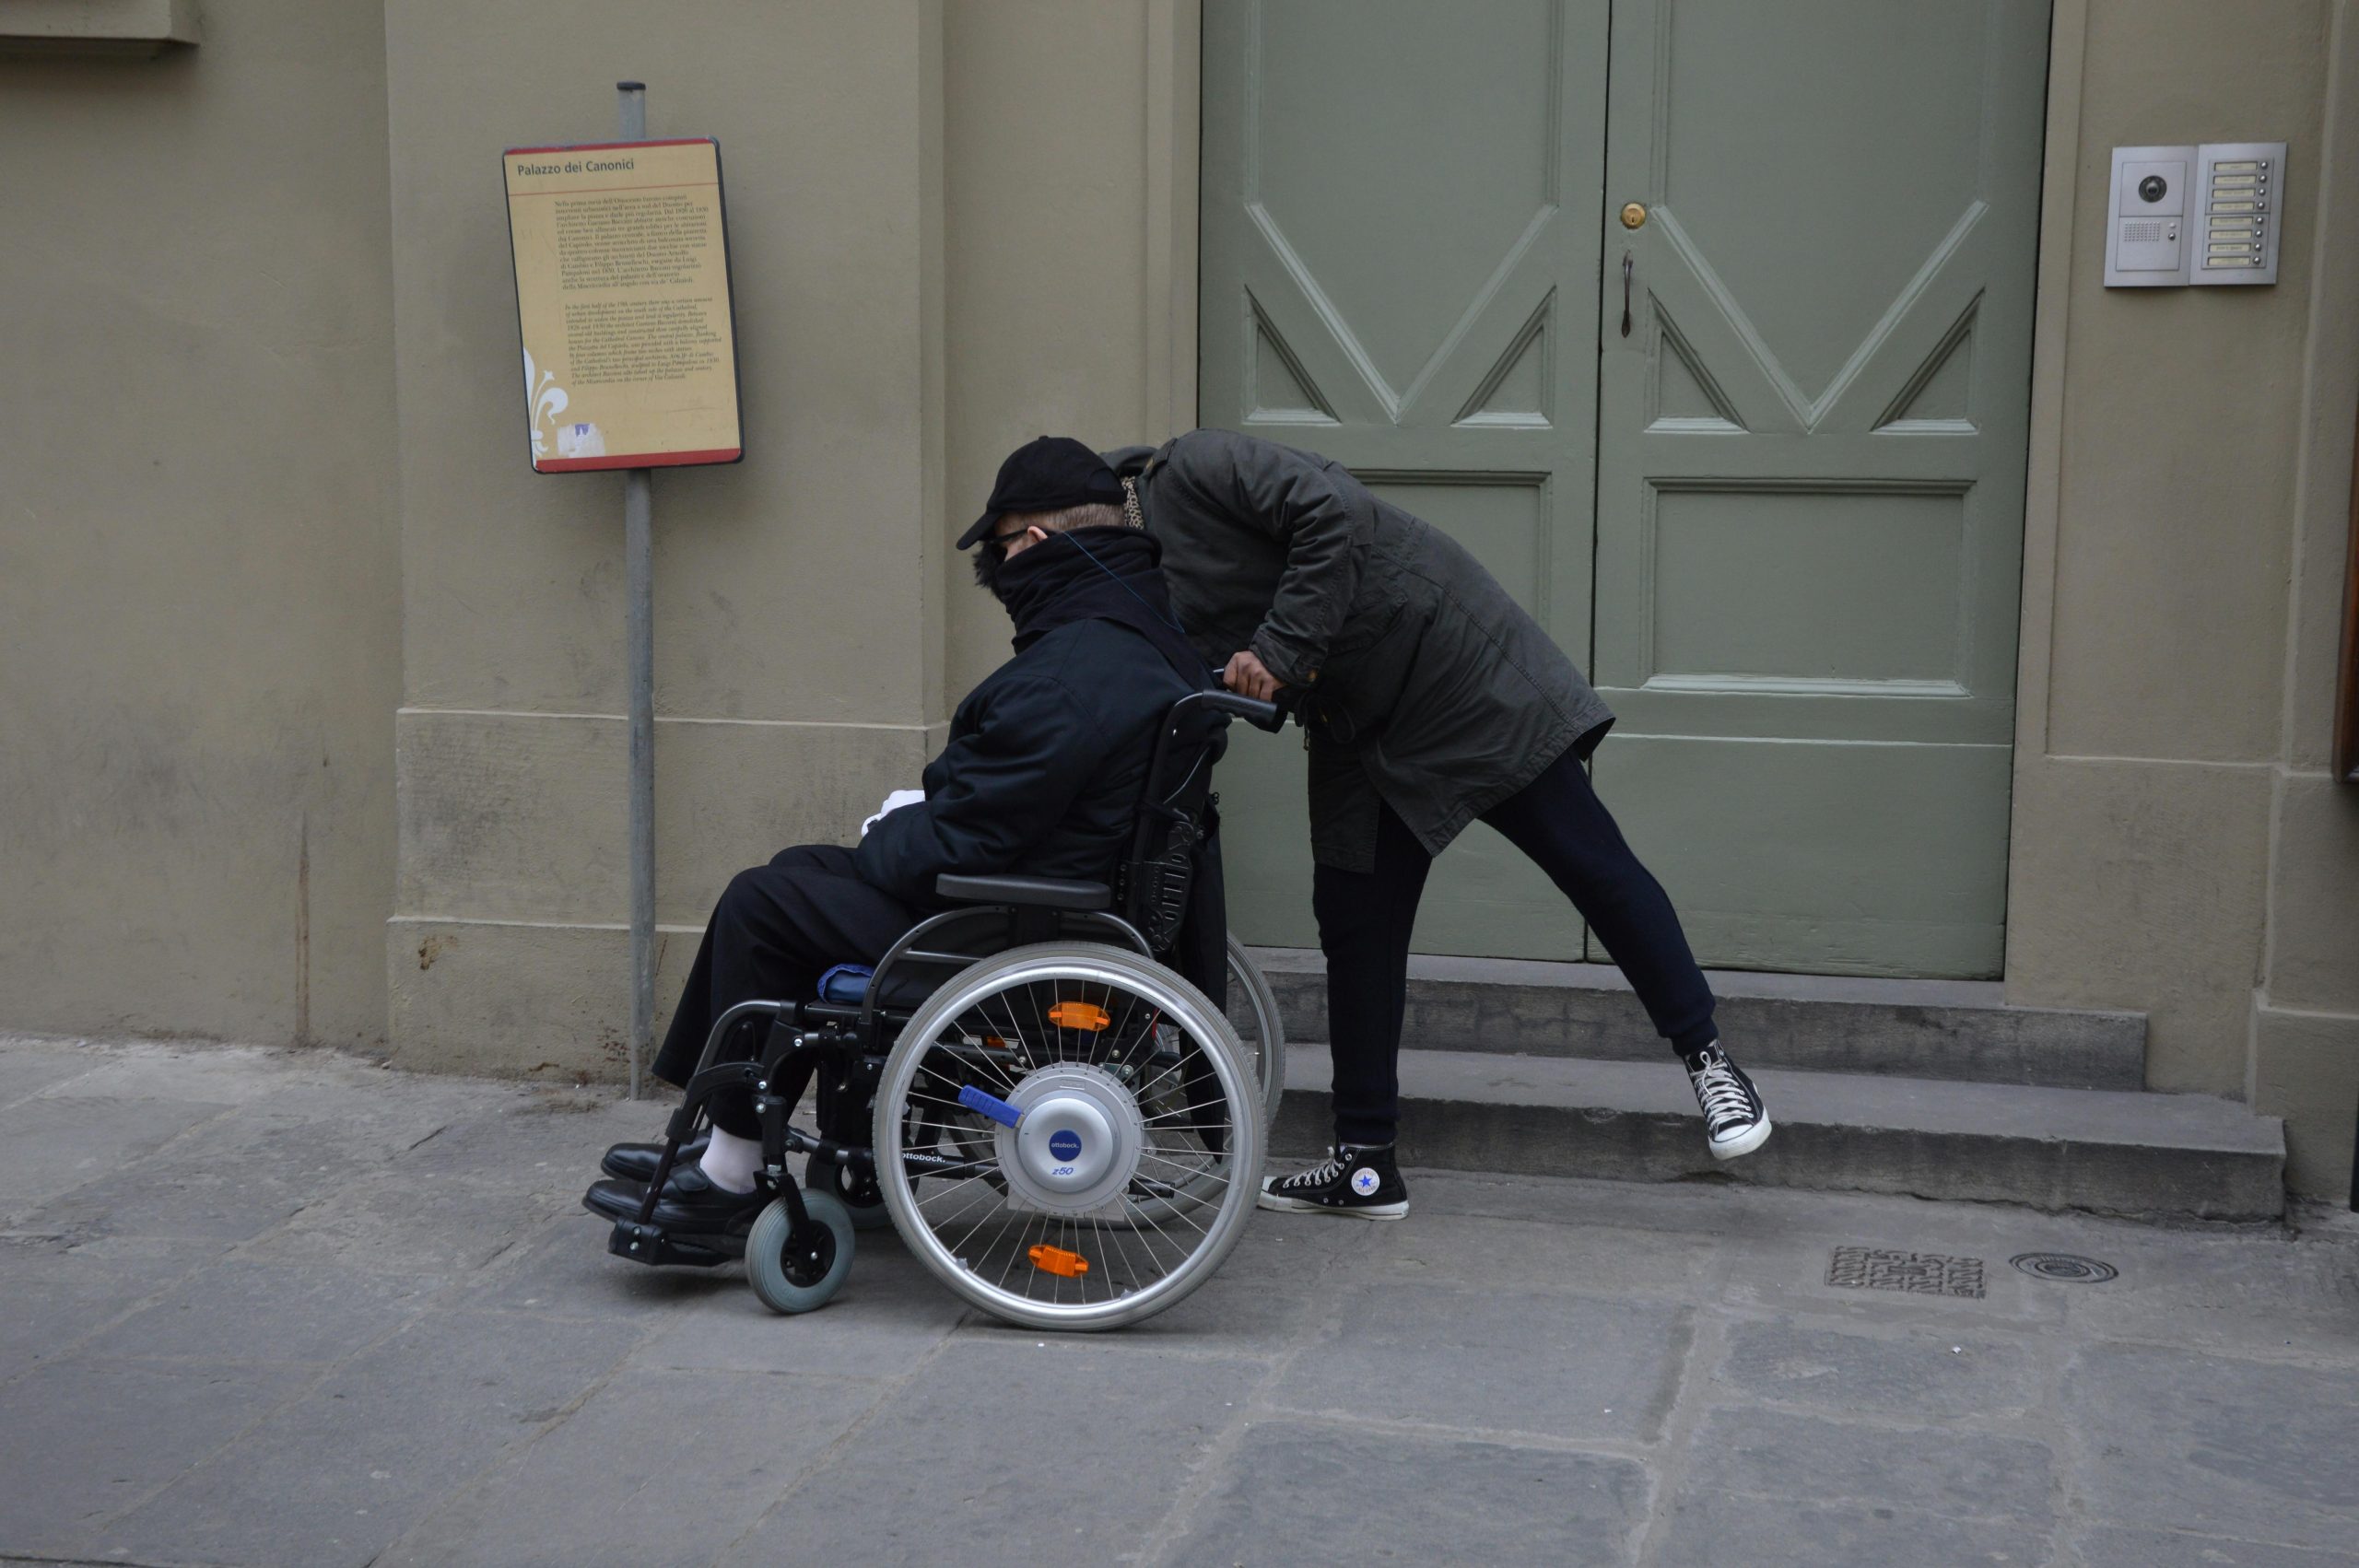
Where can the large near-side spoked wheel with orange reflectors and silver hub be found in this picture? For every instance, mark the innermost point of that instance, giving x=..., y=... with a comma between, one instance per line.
x=1070, y=1135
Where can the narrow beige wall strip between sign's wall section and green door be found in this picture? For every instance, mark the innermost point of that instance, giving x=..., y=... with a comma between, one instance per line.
x=1072, y=192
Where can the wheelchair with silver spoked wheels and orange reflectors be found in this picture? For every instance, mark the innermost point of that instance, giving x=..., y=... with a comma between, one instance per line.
x=1060, y=1126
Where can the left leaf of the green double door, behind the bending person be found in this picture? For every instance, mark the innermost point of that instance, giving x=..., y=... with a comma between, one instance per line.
x=1398, y=237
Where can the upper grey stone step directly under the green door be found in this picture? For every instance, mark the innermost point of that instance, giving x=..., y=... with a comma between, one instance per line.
x=1825, y=1025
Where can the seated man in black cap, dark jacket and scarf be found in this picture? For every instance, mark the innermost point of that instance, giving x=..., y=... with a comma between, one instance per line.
x=1041, y=777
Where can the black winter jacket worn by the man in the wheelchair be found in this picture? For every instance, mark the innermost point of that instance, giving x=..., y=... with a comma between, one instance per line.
x=1044, y=767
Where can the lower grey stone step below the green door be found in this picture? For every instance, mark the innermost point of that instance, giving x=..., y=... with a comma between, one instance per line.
x=2169, y=1157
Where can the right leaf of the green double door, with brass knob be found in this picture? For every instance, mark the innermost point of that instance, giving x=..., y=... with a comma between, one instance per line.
x=1813, y=468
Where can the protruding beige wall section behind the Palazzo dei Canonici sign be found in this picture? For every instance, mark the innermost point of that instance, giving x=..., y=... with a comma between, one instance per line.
x=799, y=619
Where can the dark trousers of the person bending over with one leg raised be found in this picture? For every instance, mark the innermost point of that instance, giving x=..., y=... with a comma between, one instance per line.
x=1365, y=921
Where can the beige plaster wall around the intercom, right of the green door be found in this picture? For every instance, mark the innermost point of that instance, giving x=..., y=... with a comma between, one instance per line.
x=2176, y=845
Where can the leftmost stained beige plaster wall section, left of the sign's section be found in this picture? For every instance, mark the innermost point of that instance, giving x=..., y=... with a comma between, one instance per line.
x=197, y=534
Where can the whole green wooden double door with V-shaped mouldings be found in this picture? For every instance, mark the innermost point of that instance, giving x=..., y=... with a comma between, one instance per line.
x=1707, y=327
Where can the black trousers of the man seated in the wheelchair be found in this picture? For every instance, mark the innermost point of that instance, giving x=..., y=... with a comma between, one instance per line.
x=773, y=935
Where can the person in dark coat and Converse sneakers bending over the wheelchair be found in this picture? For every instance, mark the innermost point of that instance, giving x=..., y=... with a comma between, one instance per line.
x=1431, y=701
